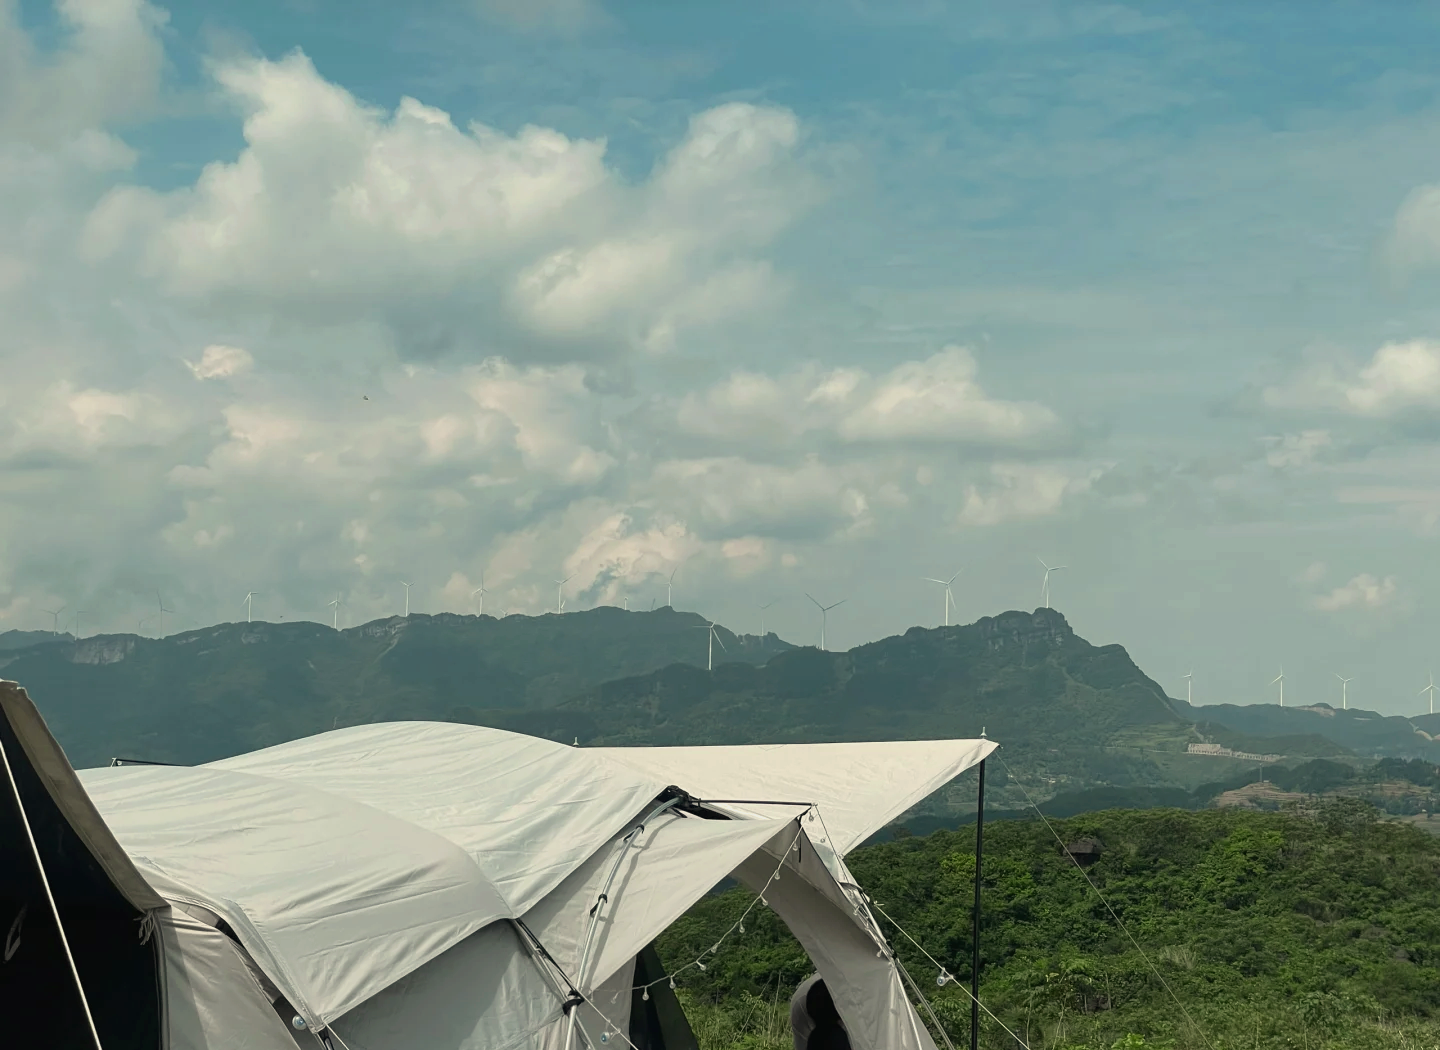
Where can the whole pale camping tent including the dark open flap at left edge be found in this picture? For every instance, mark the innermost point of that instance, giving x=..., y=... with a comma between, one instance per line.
x=428, y=887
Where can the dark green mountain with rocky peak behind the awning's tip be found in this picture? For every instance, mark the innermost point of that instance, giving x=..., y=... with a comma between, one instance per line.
x=1025, y=679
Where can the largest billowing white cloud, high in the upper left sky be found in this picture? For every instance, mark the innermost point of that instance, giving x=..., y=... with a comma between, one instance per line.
x=336, y=208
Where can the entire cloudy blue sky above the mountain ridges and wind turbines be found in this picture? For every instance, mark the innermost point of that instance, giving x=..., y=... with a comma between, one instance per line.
x=320, y=299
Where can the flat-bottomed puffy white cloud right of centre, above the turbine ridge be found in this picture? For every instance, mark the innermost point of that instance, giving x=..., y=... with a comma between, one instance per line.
x=932, y=401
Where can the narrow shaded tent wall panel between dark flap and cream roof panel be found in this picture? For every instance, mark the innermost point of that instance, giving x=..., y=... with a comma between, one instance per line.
x=211, y=997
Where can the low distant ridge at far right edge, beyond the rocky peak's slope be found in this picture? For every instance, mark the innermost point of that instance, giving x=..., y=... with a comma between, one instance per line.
x=1367, y=734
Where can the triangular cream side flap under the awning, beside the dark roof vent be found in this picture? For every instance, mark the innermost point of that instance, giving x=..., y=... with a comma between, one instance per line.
x=667, y=869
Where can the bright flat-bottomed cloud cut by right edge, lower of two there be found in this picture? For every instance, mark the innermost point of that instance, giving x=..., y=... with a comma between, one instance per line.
x=1399, y=378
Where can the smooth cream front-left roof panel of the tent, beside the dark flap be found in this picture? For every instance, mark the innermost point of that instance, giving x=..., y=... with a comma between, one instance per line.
x=332, y=898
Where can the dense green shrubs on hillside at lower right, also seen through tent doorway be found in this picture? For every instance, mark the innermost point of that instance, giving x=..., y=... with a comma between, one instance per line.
x=1271, y=930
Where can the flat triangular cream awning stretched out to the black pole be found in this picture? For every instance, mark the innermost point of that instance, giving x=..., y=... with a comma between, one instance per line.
x=859, y=787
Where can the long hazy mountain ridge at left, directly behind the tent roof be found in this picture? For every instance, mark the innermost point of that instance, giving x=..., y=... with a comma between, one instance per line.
x=235, y=688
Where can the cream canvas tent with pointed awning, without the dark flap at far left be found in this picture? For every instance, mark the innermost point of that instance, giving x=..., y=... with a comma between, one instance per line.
x=374, y=874
